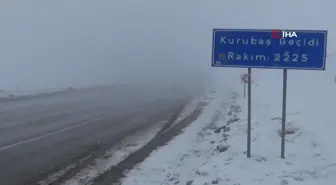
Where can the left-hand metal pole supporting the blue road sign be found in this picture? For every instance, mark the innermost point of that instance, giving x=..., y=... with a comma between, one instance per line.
x=249, y=113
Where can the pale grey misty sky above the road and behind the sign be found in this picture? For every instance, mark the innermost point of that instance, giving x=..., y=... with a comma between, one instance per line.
x=60, y=43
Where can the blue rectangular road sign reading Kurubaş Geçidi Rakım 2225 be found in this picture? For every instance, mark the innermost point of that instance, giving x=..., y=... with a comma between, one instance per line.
x=253, y=48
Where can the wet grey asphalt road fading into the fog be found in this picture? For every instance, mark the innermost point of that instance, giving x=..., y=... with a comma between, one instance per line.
x=42, y=134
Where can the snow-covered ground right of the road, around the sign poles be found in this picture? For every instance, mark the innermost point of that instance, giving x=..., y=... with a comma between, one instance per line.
x=212, y=150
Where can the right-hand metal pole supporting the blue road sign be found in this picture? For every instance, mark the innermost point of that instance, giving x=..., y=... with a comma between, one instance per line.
x=284, y=98
